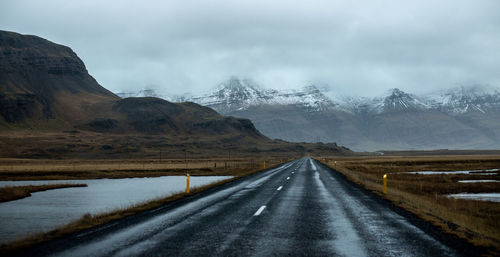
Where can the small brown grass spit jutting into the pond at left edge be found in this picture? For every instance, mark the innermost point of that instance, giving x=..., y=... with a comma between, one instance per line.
x=10, y=193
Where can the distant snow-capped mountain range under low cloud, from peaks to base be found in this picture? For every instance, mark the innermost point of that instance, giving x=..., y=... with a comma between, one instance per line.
x=462, y=118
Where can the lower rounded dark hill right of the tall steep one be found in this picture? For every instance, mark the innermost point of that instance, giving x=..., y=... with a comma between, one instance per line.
x=155, y=116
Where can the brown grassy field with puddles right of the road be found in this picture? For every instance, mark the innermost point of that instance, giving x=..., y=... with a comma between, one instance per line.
x=425, y=195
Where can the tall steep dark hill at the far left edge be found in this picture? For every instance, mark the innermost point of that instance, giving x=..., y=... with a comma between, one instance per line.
x=44, y=84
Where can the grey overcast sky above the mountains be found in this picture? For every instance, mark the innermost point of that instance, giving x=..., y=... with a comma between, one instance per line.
x=360, y=48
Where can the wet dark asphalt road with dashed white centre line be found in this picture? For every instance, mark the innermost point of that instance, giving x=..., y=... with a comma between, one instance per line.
x=298, y=209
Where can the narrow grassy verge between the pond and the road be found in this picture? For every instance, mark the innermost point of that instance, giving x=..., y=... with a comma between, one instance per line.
x=89, y=221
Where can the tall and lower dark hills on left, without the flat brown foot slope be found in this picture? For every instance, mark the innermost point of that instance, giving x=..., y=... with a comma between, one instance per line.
x=46, y=83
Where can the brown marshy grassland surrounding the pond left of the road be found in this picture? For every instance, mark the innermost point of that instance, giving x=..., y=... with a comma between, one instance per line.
x=75, y=170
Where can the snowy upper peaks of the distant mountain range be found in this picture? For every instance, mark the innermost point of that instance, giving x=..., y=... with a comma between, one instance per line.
x=240, y=94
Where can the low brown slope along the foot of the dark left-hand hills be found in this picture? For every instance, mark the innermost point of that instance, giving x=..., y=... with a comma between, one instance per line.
x=79, y=144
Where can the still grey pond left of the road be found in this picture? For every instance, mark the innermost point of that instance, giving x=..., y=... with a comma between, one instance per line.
x=46, y=210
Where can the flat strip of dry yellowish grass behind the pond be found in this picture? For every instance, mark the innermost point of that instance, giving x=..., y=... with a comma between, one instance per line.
x=26, y=169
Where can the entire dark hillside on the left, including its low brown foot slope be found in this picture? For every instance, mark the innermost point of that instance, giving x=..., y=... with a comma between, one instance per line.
x=51, y=107
